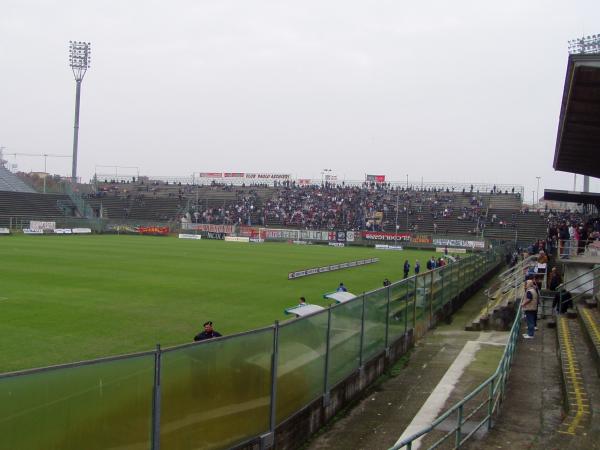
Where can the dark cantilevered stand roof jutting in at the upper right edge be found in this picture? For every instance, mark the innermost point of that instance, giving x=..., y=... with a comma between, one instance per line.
x=578, y=140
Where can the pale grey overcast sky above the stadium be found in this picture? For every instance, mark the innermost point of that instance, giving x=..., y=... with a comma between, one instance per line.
x=465, y=91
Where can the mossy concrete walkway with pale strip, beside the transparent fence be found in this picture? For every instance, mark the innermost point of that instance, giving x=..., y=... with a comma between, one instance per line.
x=380, y=418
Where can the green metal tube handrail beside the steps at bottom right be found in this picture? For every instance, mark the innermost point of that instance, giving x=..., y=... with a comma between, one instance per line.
x=480, y=406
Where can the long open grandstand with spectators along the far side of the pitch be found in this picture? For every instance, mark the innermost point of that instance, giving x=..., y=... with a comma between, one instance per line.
x=495, y=215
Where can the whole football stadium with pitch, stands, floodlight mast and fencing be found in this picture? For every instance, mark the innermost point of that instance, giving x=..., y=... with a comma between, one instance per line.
x=263, y=309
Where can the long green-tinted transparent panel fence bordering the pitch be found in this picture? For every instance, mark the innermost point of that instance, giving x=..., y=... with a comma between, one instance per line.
x=226, y=391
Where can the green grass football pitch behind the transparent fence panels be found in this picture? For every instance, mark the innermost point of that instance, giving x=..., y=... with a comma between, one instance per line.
x=71, y=298
